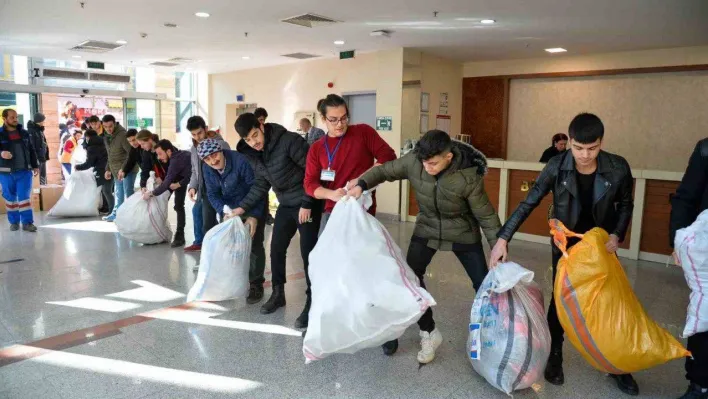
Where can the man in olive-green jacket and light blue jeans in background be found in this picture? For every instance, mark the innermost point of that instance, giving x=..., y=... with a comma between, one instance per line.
x=116, y=140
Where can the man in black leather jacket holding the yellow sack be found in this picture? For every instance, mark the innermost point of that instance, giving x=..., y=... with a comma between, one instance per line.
x=591, y=188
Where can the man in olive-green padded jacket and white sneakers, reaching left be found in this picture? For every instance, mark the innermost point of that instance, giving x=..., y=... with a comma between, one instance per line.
x=448, y=179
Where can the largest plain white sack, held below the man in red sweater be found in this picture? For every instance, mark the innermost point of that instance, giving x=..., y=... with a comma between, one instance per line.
x=363, y=292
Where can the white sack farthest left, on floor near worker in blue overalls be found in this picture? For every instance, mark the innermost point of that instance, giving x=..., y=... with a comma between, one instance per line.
x=81, y=196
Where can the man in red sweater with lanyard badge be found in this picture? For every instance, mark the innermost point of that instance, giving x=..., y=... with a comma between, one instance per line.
x=345, y=154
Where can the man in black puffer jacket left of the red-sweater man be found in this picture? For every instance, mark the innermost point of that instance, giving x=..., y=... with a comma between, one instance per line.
x=278, y=158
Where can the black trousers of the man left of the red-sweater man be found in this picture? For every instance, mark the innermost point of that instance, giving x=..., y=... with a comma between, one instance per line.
x=286, y=224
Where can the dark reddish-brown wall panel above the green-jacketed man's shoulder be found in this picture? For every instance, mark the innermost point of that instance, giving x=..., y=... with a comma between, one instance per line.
x=485, y=104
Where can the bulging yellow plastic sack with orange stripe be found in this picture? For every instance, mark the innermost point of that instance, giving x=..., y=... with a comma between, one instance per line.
x=599, y=312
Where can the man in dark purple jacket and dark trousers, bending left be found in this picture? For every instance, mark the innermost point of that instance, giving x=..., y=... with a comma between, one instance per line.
x=178, y=173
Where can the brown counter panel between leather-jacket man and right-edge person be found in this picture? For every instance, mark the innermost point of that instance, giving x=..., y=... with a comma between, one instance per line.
x=655, y=219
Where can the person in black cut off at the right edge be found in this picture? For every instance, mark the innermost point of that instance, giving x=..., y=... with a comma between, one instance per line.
x=691, y=200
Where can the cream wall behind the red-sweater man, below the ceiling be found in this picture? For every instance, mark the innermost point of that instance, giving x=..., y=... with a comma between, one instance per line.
x=287, y=89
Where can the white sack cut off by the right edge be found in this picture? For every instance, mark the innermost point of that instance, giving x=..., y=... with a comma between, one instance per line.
x=691, y=245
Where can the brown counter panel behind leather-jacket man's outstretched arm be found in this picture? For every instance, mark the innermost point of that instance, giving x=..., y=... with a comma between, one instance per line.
x=537, y=222
